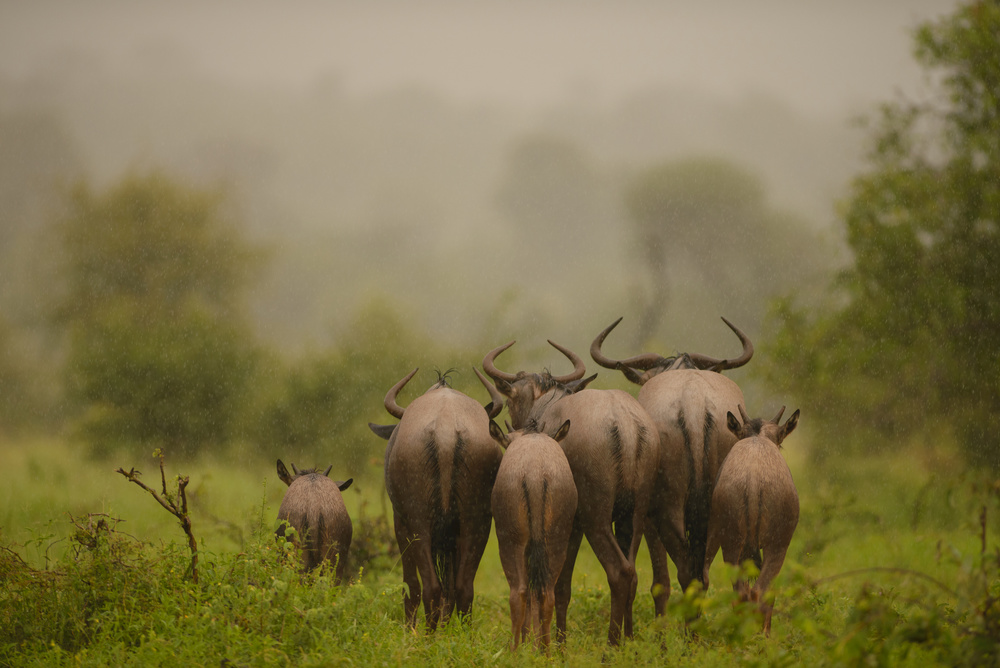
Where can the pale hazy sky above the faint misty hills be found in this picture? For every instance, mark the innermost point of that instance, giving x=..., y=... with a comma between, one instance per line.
x=827, y=57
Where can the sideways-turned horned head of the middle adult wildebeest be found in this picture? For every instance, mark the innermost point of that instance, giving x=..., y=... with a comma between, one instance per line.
x=524, y=389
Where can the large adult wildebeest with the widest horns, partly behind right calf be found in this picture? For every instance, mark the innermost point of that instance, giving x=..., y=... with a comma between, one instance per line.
x=688, y=400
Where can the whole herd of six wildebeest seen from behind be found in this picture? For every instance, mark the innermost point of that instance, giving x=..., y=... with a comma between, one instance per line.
x=682, y=464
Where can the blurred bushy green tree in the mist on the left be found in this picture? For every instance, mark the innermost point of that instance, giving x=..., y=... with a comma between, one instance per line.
x=159, y=349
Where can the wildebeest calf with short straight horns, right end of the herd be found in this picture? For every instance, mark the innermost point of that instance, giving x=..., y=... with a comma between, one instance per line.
x=755, y=506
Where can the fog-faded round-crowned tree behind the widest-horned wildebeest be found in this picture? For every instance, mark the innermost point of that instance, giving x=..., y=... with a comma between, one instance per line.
x=705, y=222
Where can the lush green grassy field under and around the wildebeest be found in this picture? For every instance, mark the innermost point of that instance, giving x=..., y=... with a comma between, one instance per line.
x=887, y=567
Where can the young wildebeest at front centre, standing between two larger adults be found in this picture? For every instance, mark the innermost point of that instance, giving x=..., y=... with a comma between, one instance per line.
x=534, y=502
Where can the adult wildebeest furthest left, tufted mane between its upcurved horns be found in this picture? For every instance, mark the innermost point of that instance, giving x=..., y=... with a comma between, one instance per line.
x=440, y=464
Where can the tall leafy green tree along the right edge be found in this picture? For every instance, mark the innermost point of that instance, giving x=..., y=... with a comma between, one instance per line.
x=908, y=341
